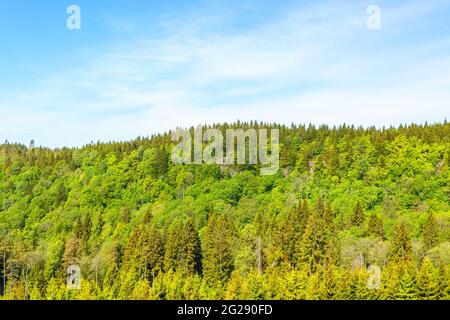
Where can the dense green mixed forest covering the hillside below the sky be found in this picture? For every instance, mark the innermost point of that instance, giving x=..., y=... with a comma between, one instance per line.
x=353, y=213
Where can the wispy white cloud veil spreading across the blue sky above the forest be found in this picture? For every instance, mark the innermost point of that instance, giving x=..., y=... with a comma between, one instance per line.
x=315, y=64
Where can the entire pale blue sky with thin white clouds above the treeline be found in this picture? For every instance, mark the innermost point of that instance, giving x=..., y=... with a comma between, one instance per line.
x=135, y=67
